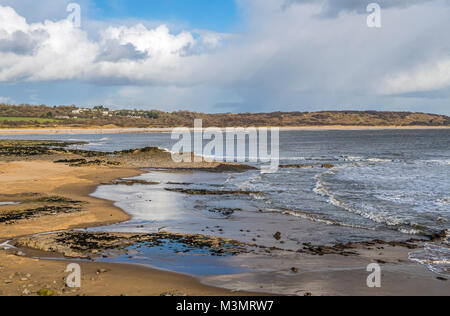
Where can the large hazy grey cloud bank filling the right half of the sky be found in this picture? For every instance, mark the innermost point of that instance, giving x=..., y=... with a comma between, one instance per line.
x=310, y=63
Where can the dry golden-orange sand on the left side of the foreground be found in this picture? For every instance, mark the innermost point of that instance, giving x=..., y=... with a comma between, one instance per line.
x=122, y=279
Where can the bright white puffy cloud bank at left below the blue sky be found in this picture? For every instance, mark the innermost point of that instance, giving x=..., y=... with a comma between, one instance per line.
x=62, y=52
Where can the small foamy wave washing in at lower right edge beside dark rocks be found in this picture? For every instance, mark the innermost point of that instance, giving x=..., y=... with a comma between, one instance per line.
x=435, y=256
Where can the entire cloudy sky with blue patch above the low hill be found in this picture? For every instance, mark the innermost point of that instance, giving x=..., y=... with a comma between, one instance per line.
x=227, y=55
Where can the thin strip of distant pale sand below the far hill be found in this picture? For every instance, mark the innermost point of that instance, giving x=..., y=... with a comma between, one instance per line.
x=88, y=130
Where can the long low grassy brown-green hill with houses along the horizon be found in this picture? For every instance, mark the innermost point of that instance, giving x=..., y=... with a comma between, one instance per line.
x=23, y=116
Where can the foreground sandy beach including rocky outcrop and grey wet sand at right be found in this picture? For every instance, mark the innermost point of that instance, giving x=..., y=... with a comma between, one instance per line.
x=37, y=182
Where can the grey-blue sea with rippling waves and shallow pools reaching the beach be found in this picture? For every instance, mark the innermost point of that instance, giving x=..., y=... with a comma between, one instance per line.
x=384, y=184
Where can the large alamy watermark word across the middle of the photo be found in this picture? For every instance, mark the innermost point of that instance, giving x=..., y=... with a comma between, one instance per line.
x=234, y=145
